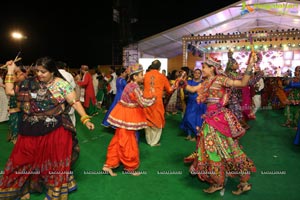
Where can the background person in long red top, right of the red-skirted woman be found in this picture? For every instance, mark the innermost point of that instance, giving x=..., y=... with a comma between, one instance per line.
x=89, y=96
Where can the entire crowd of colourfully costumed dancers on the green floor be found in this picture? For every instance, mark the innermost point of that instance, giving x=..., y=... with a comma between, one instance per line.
x=41, y=102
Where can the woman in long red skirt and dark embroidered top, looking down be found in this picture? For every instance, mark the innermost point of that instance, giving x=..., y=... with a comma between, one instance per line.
x=46, y=146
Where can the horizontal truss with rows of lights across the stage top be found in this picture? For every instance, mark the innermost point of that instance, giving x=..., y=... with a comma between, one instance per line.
x=237, y=40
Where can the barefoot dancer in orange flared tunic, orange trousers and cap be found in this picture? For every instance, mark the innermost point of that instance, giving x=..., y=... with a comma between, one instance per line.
x=128, y=116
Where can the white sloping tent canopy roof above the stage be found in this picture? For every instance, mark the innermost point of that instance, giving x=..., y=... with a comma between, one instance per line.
x=266, y=14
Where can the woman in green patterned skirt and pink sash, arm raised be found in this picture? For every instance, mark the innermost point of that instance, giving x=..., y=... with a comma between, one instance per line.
x=218, y=152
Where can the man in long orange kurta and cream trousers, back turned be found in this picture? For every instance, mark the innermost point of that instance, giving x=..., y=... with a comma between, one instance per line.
x=154, y=85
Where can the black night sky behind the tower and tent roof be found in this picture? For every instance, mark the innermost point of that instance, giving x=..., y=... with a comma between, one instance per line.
x=81, y=33
